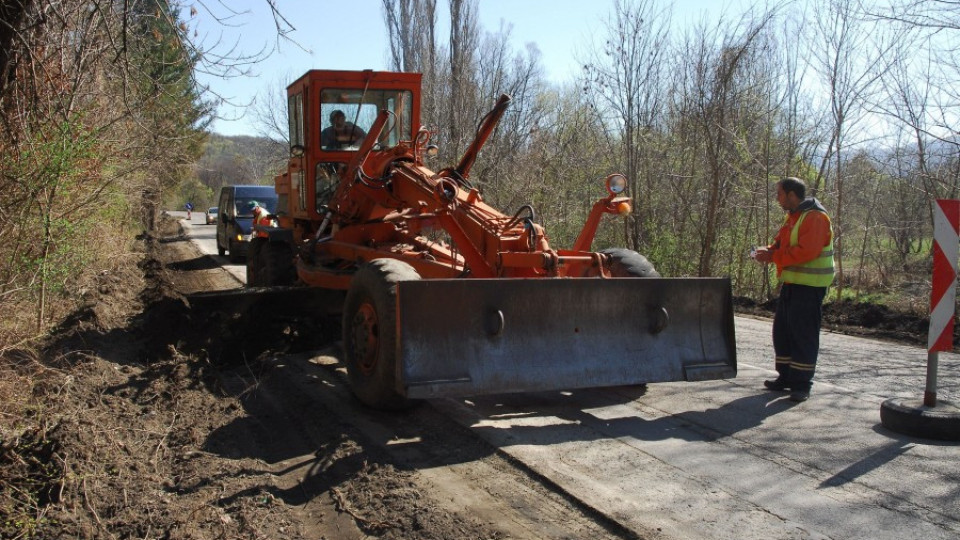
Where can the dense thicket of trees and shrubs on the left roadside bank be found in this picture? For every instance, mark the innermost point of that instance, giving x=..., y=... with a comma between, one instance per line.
x=99, y=113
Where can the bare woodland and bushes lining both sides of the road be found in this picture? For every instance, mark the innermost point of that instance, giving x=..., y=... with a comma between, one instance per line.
x=103, y=125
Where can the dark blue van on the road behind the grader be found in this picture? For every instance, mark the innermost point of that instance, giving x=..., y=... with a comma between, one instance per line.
x=235, y=221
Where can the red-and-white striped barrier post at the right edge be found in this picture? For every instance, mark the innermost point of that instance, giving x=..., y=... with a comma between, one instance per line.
x=943, y=297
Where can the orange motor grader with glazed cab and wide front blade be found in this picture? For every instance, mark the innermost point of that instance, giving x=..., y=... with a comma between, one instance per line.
x=445, y=295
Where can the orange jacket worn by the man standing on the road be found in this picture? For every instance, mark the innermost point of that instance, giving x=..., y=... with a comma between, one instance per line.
x=813, y=236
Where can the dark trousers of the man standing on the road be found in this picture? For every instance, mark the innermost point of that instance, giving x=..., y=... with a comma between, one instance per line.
x=796, y=334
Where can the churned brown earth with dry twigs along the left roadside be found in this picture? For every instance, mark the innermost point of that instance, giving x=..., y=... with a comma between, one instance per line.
x=142, y=418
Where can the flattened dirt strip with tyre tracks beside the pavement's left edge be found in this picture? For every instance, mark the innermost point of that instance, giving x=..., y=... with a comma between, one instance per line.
x=304, y=423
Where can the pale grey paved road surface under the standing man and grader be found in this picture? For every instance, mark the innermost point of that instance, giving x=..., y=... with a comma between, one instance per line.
x=727, y=459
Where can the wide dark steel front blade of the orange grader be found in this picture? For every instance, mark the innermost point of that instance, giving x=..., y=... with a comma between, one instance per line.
x=461, y=337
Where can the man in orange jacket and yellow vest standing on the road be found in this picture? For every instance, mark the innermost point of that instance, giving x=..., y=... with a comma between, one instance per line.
x=803, y=253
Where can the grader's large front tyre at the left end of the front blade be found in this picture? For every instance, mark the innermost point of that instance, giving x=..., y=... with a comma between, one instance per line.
x=370, y=333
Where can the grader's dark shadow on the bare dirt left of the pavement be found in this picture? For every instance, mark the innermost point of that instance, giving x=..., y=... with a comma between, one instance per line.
x=301, y=420
